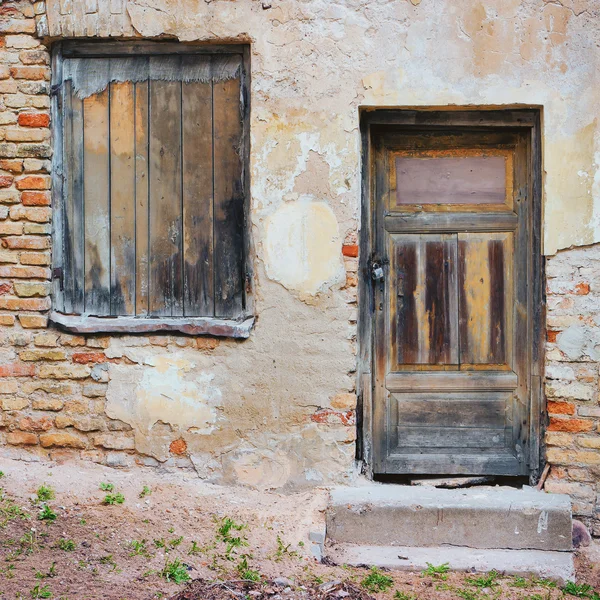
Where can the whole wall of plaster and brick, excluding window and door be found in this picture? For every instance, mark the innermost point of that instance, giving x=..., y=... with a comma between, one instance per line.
x=279, y=408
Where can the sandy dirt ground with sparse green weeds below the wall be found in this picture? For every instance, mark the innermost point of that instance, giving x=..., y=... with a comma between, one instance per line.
x=173, y=536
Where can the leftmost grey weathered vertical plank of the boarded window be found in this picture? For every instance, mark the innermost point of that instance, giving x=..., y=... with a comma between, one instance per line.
x=73, y=267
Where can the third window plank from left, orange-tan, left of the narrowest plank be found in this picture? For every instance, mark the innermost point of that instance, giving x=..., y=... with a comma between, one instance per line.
x=122, y=199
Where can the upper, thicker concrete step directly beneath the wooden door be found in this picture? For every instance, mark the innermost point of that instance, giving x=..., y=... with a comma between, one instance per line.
x=482, y=517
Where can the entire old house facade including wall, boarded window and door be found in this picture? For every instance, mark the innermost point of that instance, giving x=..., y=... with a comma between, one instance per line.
x=226, y=298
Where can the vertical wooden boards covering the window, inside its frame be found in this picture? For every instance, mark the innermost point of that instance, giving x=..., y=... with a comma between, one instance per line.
x=154, y=186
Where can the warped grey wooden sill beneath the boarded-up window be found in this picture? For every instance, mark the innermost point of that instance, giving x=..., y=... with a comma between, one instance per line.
x=188, y=325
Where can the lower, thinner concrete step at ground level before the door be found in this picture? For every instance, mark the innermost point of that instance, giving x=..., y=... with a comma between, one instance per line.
x=557, y=566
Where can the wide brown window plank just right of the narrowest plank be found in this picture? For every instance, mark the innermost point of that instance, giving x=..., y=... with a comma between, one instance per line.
x=165, y=277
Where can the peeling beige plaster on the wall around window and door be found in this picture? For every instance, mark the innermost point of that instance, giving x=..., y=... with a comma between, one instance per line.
x=278, y=409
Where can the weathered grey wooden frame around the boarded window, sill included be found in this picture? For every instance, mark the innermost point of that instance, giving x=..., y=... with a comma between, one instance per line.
x=239, y=327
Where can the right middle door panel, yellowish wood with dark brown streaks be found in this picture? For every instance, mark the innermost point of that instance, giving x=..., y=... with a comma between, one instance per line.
x=485, y=299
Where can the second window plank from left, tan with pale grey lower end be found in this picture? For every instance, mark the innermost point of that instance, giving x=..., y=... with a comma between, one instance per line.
x=96, y=179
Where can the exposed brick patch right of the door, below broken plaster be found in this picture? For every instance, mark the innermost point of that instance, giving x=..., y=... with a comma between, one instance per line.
x=572, y=362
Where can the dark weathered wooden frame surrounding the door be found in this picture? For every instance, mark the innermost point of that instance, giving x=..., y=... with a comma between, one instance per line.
x=530, y=120
